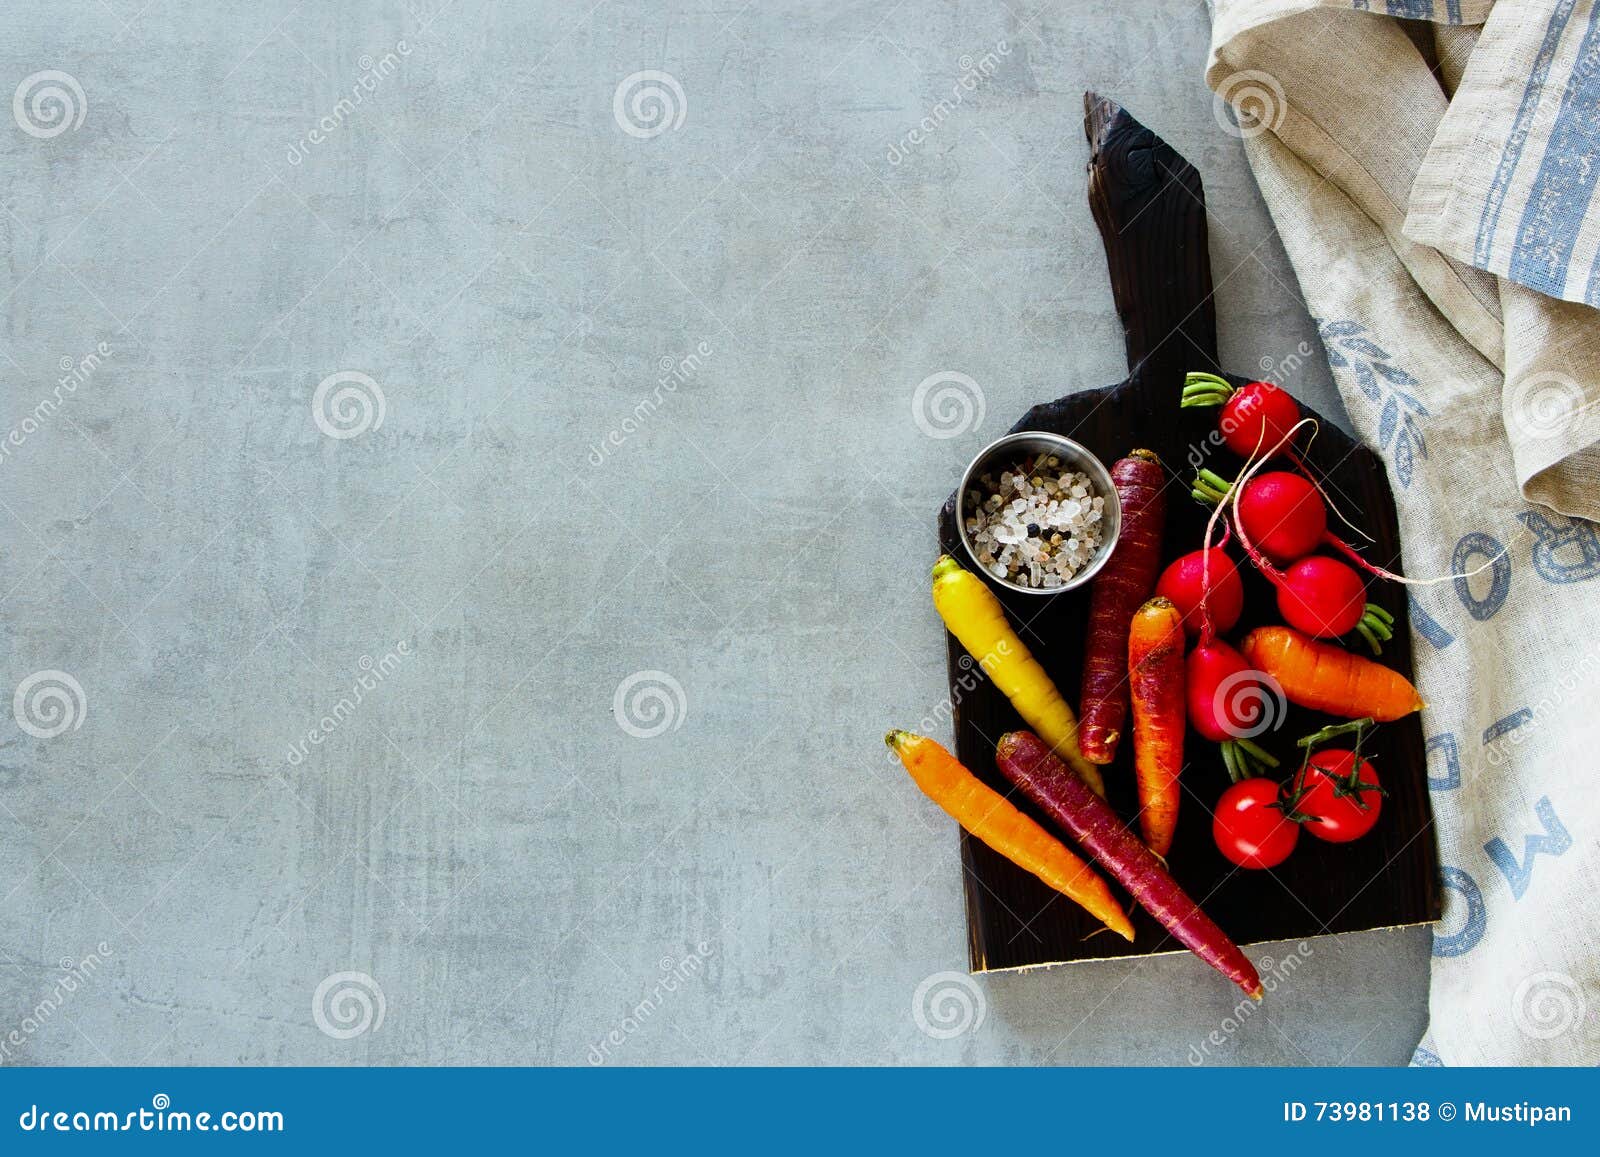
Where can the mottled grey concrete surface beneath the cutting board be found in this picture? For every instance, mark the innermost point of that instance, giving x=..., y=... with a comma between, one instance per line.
x=481, y=838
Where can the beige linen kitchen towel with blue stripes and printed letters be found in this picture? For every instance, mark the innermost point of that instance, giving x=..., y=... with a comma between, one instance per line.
x=1431, y=185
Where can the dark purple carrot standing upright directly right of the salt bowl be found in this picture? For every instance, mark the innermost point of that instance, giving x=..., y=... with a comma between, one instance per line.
x=1116, y=596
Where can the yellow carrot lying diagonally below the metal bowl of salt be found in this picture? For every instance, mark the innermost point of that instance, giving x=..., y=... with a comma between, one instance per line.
x=975, y=617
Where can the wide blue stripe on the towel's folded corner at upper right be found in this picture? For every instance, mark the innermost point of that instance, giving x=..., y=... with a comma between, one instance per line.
x=1567, y=177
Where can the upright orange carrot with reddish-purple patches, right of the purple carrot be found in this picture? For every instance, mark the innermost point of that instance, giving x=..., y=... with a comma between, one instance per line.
x=1156, y=683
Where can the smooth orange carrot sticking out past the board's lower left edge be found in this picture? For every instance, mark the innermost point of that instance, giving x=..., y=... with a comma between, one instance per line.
x=994, y=820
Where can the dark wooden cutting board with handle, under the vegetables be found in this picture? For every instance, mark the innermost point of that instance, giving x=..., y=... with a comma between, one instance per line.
x=1151, y=210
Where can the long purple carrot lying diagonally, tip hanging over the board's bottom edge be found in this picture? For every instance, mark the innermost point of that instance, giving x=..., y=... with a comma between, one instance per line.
x=1025, y=759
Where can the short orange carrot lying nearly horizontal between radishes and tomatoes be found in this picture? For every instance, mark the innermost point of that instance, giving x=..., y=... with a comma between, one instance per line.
x=1327, y=678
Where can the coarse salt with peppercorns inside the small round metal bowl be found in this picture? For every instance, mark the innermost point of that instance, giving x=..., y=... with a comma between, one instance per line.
x=1036, y=524
